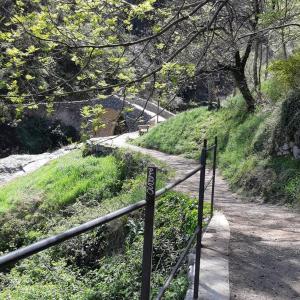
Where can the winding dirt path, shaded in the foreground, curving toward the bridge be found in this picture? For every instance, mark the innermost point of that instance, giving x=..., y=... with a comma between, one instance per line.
x=264, y=257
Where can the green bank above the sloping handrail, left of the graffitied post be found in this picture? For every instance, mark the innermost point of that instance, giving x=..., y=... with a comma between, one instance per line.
x=69, y=191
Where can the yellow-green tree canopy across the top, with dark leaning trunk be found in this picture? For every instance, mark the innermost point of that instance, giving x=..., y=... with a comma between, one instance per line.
x=81, y=49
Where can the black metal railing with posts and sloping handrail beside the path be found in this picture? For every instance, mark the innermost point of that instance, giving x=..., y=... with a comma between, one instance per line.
x=149, y=204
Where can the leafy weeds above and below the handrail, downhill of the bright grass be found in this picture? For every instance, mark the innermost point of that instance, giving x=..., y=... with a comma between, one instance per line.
x=105, y=263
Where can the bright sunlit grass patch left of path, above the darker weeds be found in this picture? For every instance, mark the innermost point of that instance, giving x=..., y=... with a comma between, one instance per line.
x=62, y=181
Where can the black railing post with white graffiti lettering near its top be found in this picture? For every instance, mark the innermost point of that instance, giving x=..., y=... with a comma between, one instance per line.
x=148, y=233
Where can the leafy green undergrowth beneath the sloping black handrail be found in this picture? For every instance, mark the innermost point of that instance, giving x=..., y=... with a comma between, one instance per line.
x=113, y=276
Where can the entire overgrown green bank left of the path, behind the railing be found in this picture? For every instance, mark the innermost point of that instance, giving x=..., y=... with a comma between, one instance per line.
x=72, y=190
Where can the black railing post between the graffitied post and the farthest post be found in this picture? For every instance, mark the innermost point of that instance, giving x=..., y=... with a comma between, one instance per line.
x=200, y=219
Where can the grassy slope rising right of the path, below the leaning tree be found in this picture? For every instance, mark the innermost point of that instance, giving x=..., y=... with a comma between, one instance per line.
x=243, y=158
